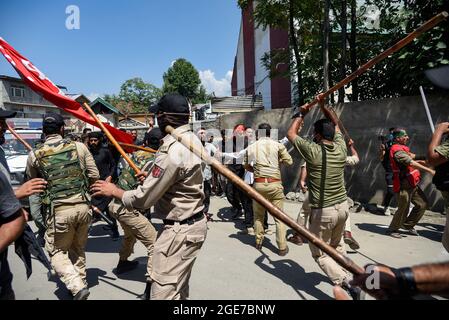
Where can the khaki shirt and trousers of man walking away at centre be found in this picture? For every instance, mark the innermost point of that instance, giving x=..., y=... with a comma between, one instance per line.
x=267, y=155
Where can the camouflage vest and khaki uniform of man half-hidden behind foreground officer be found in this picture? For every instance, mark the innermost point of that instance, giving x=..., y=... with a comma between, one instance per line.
x=134, y=224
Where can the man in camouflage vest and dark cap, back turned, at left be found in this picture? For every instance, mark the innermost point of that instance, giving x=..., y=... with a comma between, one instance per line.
x=69, y=169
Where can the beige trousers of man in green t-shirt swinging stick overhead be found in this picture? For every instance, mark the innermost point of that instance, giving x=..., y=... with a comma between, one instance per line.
x=328, y=224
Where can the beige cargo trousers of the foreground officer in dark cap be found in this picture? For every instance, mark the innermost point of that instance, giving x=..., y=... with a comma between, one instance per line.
x=175, y=252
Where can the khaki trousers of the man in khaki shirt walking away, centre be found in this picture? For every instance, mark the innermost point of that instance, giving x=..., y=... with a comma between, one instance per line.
x=273, y=192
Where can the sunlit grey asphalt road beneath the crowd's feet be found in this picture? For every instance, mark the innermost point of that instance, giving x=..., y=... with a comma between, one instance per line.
x=229, y=267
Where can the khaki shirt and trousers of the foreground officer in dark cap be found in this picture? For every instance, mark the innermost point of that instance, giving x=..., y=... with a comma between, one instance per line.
x=175, y=188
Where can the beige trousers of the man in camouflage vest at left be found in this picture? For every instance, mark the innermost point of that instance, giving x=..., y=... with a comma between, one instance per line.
x=65, y=242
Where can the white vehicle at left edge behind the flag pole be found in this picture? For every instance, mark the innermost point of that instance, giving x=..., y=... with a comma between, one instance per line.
x=17, y=154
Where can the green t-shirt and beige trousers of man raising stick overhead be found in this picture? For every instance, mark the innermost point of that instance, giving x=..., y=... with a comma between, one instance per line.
x=329, y=207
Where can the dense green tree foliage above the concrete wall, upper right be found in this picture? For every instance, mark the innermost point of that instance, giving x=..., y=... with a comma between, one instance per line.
x=401, y=74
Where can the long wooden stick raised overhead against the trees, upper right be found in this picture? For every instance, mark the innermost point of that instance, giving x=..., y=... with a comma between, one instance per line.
x=409, y=38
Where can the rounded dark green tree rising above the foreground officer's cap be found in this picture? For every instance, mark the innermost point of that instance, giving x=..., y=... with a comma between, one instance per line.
x=182, y=78
